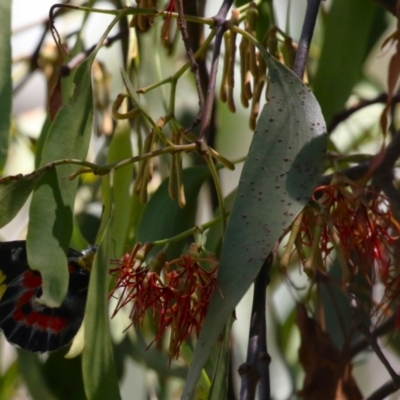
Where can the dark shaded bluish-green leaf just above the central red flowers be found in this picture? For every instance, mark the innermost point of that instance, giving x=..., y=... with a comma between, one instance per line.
x=162, y=217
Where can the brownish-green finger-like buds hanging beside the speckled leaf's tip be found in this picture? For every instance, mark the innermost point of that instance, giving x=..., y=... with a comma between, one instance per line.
x=252, y=65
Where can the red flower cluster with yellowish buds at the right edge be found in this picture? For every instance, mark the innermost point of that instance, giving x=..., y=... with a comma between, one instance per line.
x=356, y=225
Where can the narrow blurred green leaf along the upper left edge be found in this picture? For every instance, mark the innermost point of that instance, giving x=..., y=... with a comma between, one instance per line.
x=5, y=79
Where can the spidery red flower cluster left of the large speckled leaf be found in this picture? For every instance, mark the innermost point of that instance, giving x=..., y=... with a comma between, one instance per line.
x=177, y=295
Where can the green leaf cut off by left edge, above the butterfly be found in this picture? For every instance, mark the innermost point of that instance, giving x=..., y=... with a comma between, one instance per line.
x=14, y=191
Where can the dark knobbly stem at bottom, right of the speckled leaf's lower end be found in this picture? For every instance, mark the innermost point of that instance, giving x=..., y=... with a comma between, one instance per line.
x=255, y=371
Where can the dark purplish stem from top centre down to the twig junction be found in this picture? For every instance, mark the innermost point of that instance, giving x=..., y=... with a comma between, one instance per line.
x=220, y=20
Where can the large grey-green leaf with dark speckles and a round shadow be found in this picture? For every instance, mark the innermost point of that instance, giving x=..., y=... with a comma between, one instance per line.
x=281, y=170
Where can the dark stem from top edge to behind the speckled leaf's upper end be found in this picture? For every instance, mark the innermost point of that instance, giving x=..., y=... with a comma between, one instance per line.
x=305, y=38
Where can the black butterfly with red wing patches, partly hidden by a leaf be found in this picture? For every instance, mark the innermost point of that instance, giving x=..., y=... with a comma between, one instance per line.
x=25, y=322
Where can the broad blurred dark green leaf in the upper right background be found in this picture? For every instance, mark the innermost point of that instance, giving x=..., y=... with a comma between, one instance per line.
x=347, y=43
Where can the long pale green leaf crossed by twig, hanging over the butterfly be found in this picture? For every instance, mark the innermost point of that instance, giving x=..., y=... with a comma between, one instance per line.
x=51, y=211
